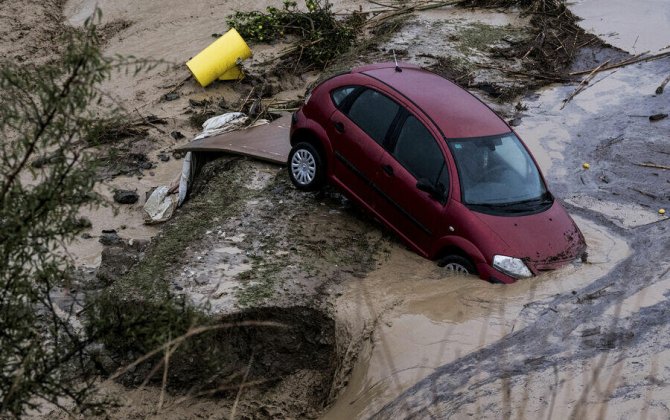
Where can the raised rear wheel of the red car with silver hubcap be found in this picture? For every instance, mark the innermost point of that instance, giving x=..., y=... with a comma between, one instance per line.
x=306, y=167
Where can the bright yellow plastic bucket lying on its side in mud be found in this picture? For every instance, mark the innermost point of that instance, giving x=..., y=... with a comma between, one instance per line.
x=219, y=57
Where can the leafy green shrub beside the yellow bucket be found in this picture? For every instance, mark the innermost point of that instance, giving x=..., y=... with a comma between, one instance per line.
x=322, y=36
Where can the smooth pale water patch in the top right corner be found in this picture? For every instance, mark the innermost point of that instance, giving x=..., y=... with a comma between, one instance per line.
x=633, y=26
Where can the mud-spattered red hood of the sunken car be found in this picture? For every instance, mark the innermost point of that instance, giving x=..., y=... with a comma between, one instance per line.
x=544, y=240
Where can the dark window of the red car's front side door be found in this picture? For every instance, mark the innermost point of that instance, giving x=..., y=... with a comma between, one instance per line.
x=419, y=153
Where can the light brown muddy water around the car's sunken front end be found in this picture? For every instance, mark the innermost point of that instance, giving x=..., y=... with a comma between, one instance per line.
x=432, y=320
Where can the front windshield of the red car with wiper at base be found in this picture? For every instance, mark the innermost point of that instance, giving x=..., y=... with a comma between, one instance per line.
x=496, y=172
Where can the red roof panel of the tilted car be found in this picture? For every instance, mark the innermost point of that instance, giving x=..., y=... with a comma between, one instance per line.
x=456, y=112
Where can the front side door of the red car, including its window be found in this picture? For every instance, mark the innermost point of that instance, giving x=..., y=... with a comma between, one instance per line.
x=414, y=155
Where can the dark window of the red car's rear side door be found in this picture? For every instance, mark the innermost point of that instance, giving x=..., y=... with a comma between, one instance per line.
x=374, y=113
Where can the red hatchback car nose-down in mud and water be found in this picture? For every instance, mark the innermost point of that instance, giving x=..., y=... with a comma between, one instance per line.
x=437, y=166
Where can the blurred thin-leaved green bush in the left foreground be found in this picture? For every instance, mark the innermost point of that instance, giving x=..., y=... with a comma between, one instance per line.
x=46, y=110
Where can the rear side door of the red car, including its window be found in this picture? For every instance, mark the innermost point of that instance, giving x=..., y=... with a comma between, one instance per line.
x=358, y=130
